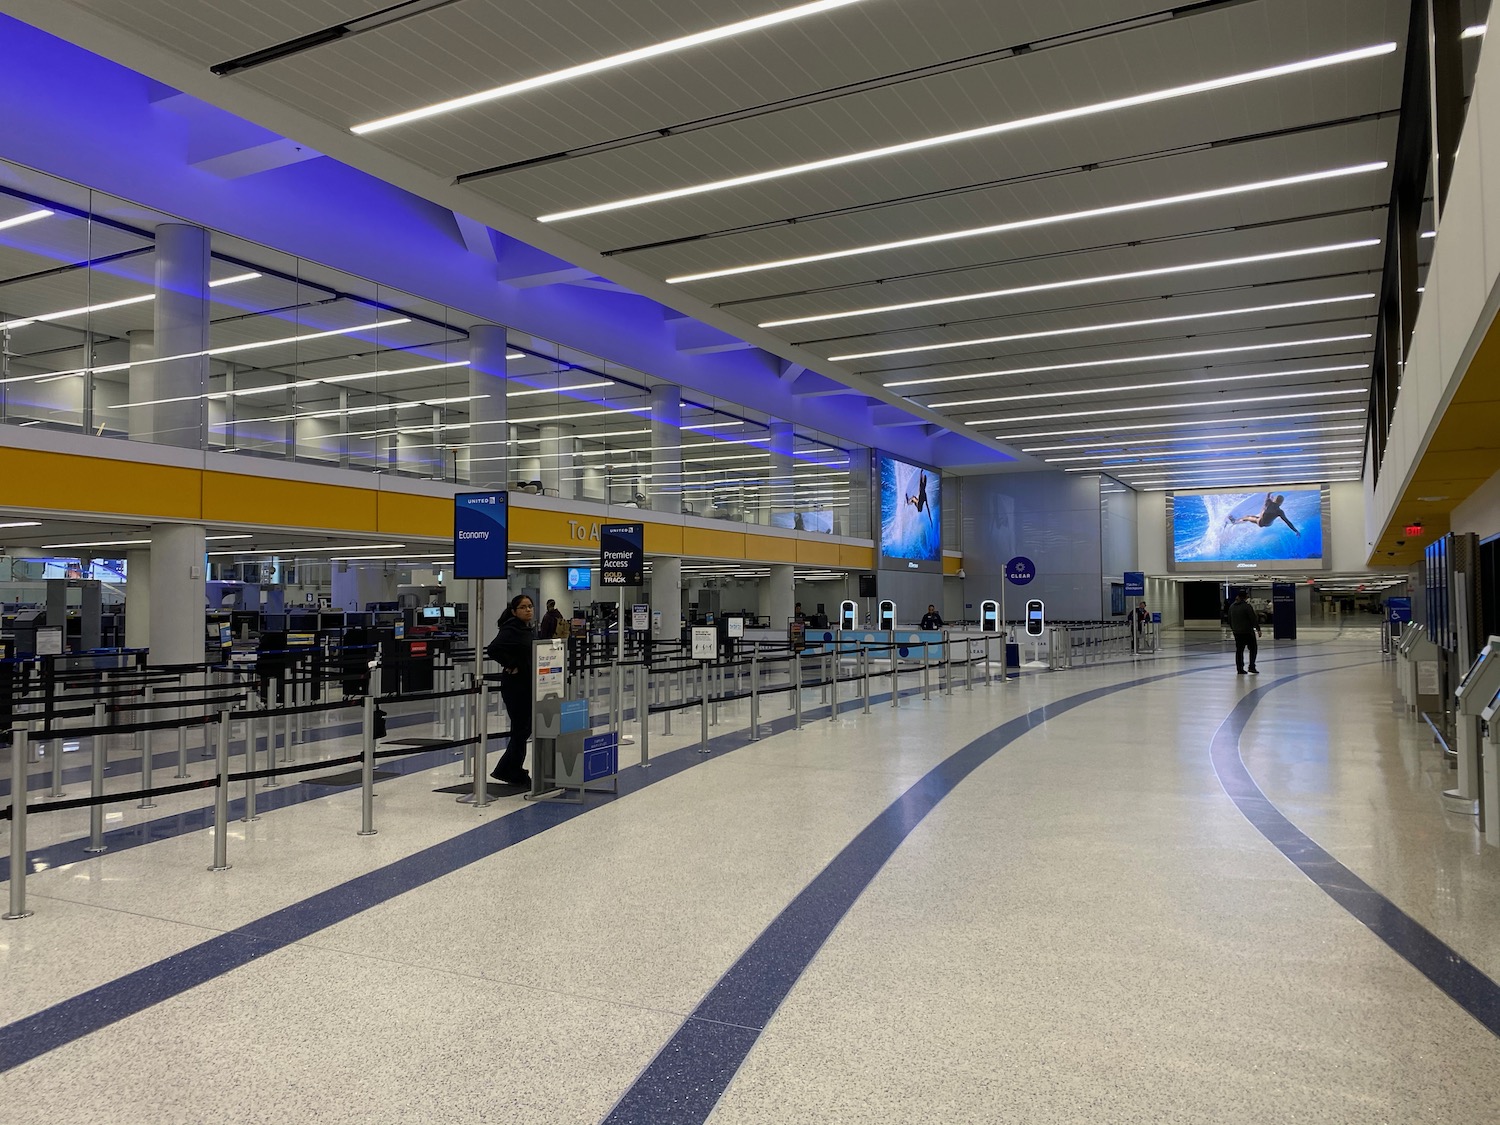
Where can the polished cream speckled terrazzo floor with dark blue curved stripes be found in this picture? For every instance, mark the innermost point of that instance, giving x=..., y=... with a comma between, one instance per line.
x=1054, y=901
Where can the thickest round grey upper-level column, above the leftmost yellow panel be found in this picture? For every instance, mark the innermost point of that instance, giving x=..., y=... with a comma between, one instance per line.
x=182, y=331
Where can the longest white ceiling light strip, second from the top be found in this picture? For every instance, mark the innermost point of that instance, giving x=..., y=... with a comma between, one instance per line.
x=1054, y=118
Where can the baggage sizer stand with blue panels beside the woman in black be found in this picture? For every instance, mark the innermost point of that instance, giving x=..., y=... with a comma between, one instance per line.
x=566, y=754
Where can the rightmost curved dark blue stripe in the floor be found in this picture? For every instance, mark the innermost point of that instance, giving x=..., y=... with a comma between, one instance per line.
x=1429, y=955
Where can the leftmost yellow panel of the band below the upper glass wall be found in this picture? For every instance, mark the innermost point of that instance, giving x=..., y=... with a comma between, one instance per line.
x=35, y=479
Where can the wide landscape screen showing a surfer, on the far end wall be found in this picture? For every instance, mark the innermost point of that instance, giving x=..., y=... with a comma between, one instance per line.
x=1262, y=527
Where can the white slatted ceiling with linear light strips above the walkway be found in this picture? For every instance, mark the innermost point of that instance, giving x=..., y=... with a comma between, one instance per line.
x=1072, y=302
